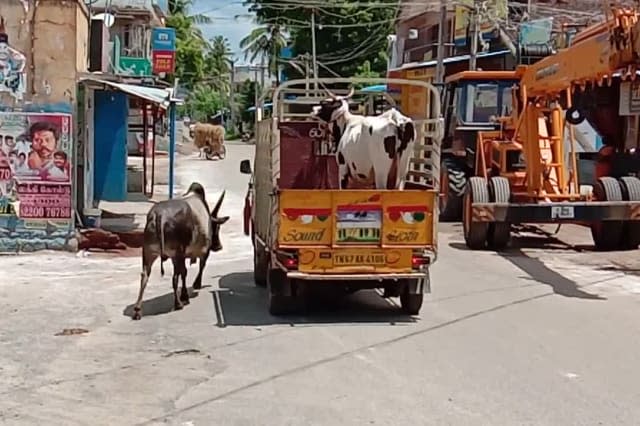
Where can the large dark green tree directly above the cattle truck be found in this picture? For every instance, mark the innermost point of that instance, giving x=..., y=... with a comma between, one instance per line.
x=346, y=37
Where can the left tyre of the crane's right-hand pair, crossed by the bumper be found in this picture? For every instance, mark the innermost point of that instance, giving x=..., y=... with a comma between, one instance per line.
x=607, y=234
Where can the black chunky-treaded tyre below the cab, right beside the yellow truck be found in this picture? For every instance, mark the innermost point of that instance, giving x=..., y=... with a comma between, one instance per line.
x=453, y=181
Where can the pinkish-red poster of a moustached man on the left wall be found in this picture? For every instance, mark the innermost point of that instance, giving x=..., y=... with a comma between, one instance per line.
x=35, y=166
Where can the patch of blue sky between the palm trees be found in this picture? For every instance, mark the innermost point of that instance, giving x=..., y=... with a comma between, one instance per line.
x=222, y=12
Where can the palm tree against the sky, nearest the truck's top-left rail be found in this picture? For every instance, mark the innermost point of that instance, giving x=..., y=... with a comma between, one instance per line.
x=265, y=42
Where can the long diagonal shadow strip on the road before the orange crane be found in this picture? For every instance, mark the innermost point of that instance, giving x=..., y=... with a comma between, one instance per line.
x=538, y=271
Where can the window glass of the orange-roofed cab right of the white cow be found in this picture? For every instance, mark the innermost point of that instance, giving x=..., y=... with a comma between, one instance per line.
x=478, y=102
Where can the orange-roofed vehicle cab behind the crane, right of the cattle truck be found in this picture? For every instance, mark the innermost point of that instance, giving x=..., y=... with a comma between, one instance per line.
x=472, y=101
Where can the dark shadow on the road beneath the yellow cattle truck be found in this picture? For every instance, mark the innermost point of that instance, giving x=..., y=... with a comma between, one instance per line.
x=246, y=304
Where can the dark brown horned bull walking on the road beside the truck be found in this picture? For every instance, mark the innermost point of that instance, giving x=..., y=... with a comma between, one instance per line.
x=180, y=229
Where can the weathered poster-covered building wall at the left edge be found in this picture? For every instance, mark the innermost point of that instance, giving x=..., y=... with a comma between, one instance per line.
x=43, y=49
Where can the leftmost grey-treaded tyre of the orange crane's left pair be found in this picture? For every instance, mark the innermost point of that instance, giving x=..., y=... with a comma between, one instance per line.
x=475, y=233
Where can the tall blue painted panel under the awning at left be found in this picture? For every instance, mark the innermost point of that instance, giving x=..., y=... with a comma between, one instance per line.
x=110, y=145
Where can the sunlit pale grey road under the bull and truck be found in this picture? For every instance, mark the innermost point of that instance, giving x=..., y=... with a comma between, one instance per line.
x=542, y=336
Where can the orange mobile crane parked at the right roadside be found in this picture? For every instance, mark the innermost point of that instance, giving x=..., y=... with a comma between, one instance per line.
x=524, y=173
